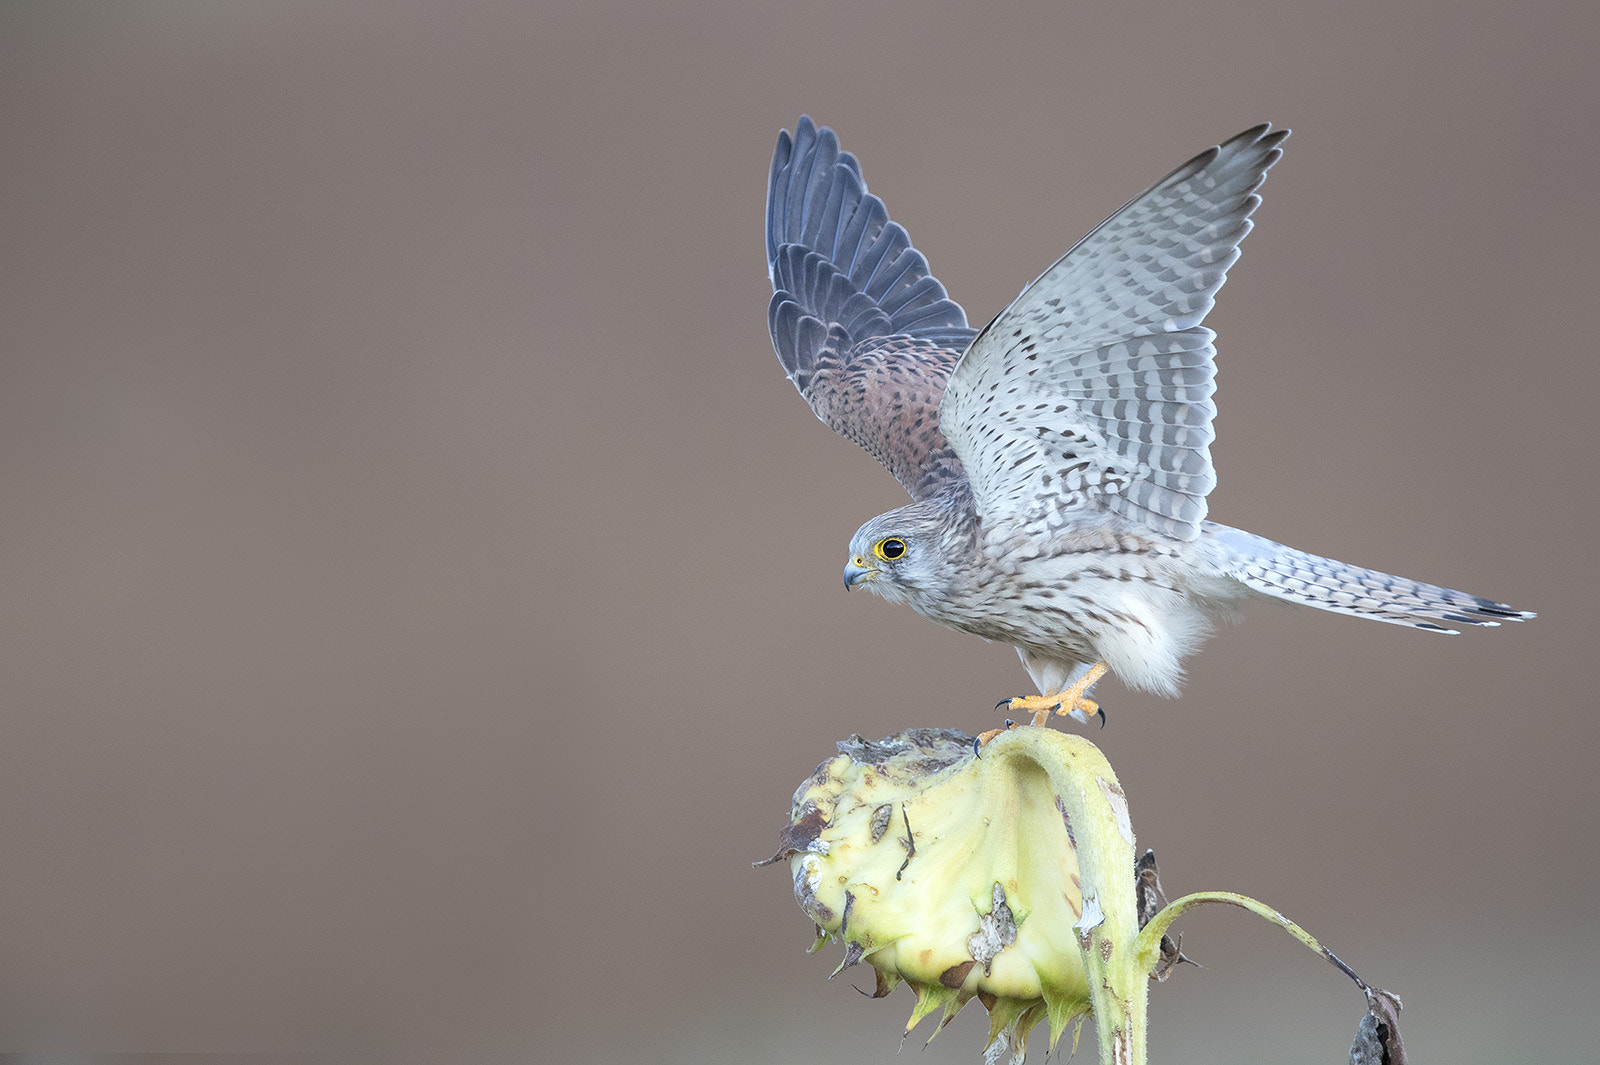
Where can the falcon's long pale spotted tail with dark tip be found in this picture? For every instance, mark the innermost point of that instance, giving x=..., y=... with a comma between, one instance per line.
x=1334, y=586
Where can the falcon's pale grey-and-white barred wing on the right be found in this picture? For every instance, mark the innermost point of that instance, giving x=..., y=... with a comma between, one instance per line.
x=1094, y=389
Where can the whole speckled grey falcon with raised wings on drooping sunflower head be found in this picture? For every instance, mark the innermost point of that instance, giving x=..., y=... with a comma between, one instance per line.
x=1058, y=458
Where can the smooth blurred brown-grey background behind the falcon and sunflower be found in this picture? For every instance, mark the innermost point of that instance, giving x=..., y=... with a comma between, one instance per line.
x=423, y=589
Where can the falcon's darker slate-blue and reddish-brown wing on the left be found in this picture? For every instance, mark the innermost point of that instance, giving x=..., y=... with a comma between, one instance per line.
x=858, y=321
